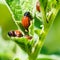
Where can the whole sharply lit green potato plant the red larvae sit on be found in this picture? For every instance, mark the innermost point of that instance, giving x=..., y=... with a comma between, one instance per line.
x=39, y=26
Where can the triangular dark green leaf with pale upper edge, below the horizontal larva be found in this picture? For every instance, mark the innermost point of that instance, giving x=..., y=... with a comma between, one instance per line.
x=24, y=43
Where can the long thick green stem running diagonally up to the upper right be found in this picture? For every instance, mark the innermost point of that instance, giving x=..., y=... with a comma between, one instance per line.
x=38, y=47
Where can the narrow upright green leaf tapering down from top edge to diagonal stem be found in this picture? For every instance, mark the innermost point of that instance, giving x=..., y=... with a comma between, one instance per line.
x=43, y=7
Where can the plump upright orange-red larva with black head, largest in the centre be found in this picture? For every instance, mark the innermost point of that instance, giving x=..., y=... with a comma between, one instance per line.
x=26, y=20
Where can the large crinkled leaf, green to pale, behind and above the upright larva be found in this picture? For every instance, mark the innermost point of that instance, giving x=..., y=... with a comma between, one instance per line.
x=19, y=7
